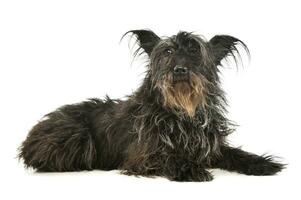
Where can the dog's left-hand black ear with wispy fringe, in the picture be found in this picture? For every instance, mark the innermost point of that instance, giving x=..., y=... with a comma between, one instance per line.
x=146, y=39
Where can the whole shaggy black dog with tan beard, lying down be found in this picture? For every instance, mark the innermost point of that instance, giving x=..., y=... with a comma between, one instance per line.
x=173, y=126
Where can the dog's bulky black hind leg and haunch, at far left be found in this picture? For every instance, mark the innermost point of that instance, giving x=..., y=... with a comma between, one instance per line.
x=61, y=142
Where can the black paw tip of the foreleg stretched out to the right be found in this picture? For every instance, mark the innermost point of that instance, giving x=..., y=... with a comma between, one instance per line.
x=264, y=166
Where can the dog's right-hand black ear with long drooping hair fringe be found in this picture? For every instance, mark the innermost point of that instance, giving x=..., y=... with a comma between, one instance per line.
x=225, y=45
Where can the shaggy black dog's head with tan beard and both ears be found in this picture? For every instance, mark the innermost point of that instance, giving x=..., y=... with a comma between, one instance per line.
x=184, y=67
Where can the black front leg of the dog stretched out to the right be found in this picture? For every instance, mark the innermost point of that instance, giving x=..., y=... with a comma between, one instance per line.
x=235, y=159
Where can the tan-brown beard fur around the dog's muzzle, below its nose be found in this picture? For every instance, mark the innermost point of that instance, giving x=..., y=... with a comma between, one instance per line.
x=184, y=95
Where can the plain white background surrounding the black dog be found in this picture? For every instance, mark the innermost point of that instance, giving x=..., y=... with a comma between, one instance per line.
x=59, y=52
